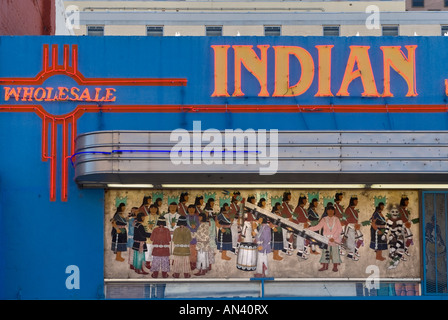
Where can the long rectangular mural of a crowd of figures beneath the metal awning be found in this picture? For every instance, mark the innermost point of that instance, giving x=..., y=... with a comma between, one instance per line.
x=204, y=233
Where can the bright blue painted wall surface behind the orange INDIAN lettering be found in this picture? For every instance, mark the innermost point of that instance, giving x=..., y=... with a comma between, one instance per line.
x=41, y=238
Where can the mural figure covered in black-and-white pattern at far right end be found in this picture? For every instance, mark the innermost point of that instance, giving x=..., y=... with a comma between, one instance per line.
x=395, y=237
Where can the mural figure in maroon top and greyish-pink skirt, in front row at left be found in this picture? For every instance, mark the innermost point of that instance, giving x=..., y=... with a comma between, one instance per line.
x=161, y=239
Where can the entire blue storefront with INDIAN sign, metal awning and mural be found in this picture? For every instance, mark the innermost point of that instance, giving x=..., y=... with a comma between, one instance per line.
x=90, y=125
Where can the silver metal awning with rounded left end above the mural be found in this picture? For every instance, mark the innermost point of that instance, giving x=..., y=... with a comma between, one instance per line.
x=294, y=157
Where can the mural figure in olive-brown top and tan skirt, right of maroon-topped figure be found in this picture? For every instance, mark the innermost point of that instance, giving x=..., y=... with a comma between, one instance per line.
x=181, y=239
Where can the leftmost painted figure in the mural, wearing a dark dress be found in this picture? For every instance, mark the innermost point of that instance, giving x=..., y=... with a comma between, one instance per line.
x=119, y=232
